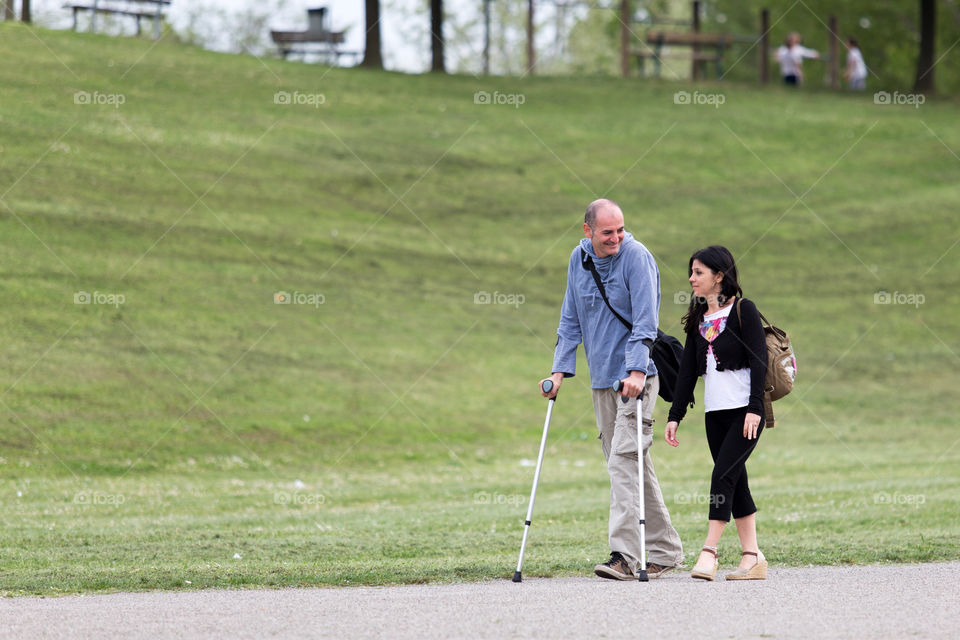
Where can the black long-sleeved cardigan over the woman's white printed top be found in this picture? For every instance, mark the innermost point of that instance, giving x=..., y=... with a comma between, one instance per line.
x=737, y=347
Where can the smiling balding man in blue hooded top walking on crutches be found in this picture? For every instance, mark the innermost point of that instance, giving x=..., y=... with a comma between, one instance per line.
x=632, y=283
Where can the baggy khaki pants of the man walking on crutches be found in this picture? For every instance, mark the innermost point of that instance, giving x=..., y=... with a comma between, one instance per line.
x=617, y=422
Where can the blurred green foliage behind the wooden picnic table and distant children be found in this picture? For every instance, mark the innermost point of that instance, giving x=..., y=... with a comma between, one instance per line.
x=889, y=33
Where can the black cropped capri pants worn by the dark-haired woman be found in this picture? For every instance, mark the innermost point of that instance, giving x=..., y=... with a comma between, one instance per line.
x=729, y=490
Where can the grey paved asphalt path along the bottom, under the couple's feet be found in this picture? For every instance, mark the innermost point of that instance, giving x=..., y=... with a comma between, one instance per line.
x=901, y=601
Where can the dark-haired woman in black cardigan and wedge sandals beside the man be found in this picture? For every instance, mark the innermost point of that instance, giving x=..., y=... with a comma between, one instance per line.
x=725, y=344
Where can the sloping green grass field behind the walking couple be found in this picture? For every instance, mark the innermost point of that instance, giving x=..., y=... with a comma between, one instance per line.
x=183, y=431
